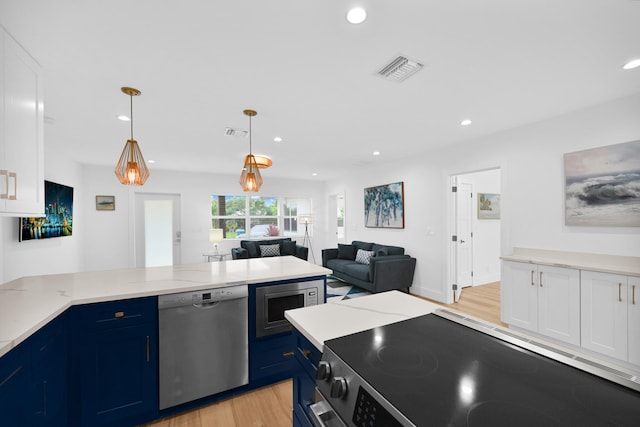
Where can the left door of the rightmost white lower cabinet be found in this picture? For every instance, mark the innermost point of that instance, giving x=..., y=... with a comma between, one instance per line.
x=604, y=307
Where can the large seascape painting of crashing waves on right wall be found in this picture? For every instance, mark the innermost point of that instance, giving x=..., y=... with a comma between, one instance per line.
x=602, y=186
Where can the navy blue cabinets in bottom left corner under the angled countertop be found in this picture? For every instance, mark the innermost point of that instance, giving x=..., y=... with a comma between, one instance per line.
x=33, y=379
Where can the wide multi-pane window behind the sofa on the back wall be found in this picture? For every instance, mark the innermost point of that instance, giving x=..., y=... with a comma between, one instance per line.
x=257, y=216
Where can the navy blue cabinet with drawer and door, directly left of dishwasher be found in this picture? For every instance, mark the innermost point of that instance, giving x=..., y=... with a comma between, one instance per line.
x=114, y=369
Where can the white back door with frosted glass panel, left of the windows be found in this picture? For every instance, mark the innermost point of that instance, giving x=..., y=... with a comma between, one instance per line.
x=157, y=229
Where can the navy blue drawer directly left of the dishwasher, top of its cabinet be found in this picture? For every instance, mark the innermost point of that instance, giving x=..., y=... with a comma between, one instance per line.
x=114, y=314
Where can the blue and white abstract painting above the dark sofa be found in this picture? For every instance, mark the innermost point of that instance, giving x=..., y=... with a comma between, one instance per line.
x=384, y=206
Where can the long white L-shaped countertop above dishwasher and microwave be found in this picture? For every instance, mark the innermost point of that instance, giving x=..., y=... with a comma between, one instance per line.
x=29, y=303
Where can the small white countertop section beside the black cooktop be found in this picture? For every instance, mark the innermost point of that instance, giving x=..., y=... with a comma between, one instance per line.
x=323, y=322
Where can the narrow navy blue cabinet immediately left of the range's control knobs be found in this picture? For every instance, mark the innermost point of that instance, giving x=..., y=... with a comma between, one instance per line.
x=304, y=382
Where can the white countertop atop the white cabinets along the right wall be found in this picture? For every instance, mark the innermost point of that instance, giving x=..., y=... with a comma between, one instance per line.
x=616, y=264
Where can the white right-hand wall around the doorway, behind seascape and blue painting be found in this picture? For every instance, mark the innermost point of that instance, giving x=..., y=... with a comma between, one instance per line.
x=530, y=159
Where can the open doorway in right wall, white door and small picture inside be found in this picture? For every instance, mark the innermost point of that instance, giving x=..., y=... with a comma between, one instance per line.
x=475, y=238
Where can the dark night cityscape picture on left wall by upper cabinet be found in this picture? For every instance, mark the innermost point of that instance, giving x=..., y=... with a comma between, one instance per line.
x=58, y=219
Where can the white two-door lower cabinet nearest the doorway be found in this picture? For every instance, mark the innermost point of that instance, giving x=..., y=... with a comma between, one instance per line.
x=542, y=299
